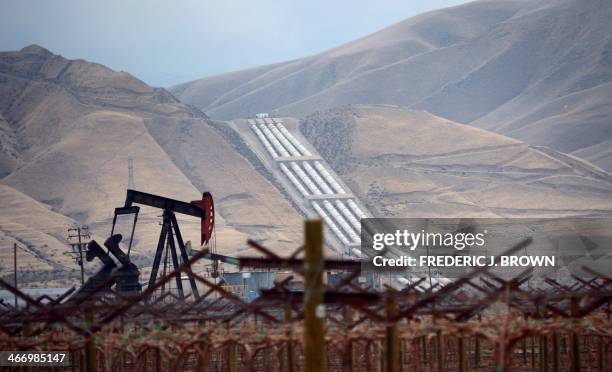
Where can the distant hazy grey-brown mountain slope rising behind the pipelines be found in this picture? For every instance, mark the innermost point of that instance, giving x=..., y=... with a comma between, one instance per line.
x=536, y=71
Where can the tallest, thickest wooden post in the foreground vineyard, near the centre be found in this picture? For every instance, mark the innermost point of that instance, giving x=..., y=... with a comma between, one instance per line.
x=314, y=309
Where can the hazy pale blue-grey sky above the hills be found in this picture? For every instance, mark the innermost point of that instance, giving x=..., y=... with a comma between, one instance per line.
x=172, y=41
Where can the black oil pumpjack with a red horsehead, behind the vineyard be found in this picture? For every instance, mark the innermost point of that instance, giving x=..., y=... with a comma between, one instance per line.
x=126, y=276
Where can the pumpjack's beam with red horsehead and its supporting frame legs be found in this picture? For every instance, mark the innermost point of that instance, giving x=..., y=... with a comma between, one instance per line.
x=204, y=209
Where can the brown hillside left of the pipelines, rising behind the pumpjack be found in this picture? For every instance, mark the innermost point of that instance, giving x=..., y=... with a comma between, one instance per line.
x=70, y=126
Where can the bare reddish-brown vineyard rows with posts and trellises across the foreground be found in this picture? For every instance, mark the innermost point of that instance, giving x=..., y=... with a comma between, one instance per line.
x=477, y=322
